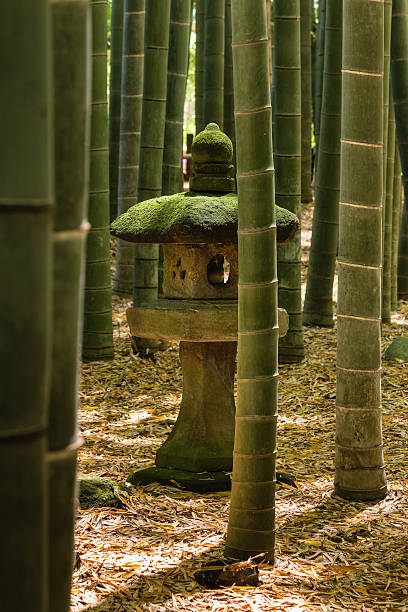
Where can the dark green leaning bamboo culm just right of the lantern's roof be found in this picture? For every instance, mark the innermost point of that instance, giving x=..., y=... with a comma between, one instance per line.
x=318, y=306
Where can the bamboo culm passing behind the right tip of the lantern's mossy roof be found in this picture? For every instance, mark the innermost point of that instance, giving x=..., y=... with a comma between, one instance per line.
x=287, y=159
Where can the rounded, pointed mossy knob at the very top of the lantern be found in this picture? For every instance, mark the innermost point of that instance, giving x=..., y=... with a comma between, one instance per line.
x=212, y=146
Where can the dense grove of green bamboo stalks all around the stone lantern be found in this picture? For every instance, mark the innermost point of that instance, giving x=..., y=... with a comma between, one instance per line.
x=89, y=153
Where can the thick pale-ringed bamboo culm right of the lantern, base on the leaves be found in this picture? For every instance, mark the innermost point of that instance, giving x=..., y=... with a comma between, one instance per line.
x=359, y=464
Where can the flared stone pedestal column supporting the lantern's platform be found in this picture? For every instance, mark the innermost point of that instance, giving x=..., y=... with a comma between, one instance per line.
x=203, y=437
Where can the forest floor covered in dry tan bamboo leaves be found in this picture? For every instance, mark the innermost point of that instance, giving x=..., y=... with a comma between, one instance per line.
x=330, y=554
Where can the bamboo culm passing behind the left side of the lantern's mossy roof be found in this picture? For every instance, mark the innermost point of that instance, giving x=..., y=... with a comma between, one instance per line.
x=145, y=288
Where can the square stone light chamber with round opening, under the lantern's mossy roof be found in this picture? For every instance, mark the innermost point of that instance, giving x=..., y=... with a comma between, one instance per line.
x=206, y=271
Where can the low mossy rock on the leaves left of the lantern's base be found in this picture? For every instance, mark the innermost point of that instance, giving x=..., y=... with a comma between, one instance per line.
x=101, y=492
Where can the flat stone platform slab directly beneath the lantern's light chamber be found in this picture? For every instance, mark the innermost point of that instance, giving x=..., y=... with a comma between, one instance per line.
x=191, y=320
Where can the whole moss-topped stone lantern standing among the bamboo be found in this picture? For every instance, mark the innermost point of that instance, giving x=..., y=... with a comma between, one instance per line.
x=198, y=231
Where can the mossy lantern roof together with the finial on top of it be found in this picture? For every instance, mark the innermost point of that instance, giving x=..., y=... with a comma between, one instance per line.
x=208, y=213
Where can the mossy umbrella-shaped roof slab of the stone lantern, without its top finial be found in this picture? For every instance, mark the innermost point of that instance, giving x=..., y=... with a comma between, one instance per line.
x=191, y=218
